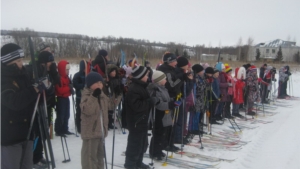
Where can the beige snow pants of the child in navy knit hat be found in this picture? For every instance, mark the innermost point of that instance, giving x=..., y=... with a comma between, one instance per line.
x=92, y=154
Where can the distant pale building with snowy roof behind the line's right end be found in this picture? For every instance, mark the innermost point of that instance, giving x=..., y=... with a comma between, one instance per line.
x=268, y=50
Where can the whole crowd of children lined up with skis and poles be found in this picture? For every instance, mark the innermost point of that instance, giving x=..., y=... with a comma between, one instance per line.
x=172, y=101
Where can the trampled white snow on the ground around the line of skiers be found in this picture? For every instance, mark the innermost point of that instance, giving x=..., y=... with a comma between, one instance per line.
x=273, y=145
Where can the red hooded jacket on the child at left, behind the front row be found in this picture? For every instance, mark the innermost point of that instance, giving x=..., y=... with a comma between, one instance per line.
x=63, y=89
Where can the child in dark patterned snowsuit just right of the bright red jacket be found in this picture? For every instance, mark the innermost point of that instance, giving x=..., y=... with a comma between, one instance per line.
x=253, y=94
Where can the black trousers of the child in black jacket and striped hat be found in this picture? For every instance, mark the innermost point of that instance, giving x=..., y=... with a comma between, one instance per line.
x=137, y=144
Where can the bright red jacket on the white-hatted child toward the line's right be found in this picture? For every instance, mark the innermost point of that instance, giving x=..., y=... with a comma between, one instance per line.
x=238, y=86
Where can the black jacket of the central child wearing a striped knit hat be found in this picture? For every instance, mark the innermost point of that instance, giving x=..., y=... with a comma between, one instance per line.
x=137, y=106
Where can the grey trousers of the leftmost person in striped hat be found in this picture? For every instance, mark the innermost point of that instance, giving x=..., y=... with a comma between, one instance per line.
x=11, y=156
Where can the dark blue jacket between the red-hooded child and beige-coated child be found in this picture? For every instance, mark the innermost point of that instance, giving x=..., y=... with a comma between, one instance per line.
x=79, y=80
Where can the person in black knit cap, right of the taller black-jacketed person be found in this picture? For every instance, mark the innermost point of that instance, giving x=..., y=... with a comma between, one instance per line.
x=186, y=77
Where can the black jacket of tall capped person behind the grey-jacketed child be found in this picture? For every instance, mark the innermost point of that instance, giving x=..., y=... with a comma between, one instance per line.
x=173, y=82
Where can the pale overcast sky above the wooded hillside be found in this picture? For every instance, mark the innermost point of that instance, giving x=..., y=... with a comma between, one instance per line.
x=215, y=22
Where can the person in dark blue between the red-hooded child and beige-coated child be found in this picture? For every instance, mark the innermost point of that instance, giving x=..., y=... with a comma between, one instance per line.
x=79, y=84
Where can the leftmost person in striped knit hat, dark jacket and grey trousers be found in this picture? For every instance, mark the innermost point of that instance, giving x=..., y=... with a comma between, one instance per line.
x=17, y=106
